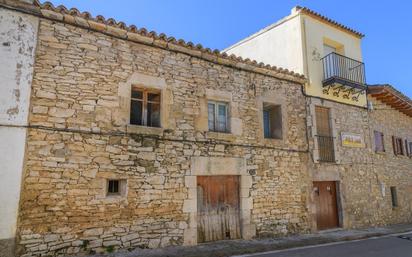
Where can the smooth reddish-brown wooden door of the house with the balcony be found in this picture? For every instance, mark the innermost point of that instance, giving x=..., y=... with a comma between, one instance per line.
x=326, y=205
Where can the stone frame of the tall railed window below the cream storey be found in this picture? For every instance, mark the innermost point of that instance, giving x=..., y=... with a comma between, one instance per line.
x=313, y=129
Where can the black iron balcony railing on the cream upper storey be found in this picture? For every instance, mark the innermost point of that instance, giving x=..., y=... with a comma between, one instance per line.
x=339, y=69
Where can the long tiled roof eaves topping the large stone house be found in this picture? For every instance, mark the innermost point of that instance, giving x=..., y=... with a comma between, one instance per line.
x=120, y=30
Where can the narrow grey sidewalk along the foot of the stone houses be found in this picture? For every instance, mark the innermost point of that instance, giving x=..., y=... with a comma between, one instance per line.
x=237, y=247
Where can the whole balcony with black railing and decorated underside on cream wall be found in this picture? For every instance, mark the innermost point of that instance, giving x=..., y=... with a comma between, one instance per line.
x=343, y=76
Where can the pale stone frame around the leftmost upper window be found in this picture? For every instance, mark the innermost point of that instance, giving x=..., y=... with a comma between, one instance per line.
x=147, y=82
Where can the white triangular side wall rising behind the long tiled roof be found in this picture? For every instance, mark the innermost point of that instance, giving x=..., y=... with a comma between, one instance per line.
x=279, y=45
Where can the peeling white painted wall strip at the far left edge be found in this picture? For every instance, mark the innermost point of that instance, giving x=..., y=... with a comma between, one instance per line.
x=18, y=39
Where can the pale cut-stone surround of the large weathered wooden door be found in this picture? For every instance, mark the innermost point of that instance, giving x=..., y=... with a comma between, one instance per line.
x=210, y=166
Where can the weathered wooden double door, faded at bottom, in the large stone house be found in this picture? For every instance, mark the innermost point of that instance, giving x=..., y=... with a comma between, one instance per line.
x=218, y=208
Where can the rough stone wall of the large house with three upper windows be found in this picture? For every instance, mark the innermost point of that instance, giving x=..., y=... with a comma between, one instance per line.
x=80, y=137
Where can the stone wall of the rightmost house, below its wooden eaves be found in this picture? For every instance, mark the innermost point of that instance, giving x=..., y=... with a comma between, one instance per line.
x=392, y=170
